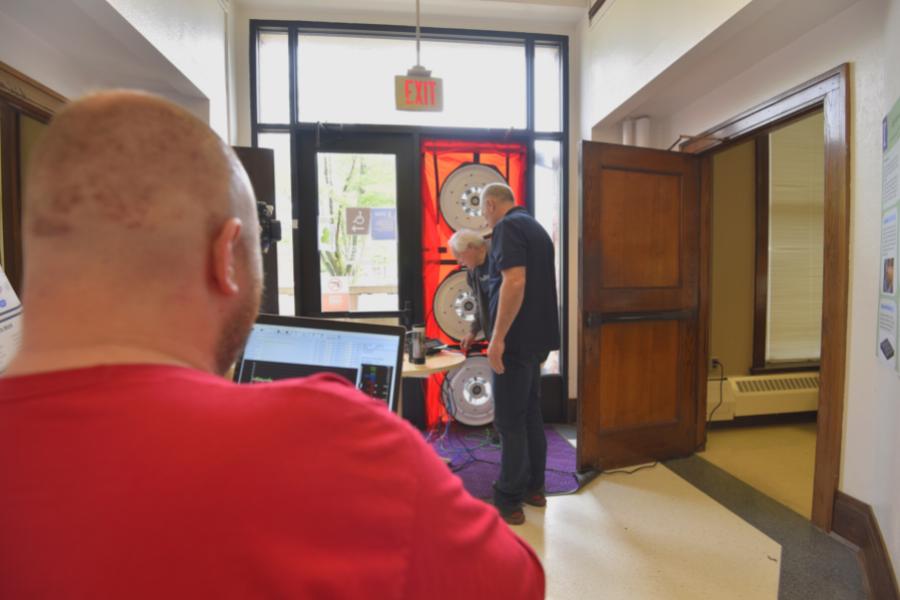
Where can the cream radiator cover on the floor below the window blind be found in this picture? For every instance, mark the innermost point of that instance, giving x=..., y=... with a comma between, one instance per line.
x=762, y=395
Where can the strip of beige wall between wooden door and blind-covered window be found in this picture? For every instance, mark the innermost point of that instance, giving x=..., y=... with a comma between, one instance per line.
x=733, y=259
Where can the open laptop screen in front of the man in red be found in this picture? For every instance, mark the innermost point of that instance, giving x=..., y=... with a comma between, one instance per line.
x=369, y=356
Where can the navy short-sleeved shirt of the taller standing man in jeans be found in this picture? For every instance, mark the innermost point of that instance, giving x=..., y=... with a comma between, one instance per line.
x=520, y=241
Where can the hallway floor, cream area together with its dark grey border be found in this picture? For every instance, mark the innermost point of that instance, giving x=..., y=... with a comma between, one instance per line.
x=684, y=529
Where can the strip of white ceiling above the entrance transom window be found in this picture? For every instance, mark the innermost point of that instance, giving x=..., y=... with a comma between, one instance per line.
x=547, y=11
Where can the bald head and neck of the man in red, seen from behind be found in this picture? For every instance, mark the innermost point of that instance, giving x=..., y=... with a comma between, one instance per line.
x=125, y=201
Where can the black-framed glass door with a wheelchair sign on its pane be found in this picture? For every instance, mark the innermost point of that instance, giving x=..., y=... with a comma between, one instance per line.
x=357, y=244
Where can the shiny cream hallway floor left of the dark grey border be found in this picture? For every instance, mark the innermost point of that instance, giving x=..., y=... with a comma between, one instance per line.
x=649, y=536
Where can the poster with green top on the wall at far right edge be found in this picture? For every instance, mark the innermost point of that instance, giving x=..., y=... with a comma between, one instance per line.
x=886, y=343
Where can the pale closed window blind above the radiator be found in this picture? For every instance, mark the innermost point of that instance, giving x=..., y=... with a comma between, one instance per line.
x=796, y=241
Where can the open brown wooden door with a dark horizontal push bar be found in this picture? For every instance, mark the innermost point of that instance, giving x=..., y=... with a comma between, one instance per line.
x=639, y=309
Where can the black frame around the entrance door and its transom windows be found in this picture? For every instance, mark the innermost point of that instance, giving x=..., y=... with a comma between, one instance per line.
x=528, y=136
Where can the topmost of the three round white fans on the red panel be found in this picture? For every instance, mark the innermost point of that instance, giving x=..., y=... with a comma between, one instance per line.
x=461, y=197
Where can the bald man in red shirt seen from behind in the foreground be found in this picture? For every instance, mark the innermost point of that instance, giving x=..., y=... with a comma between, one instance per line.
x=130, y=469
